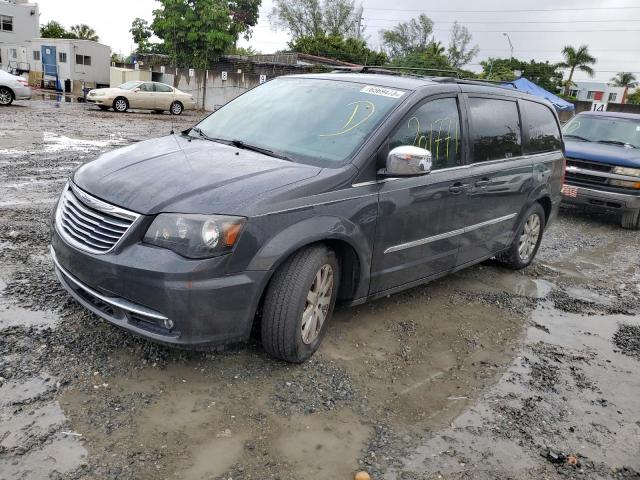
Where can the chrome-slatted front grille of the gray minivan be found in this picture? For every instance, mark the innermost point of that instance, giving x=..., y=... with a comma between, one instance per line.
x=91, y=224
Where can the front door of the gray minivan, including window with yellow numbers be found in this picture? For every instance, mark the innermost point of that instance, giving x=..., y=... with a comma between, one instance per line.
x=419, y=218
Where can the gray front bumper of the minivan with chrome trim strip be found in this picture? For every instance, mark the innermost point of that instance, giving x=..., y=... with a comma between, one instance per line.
x=159, y=295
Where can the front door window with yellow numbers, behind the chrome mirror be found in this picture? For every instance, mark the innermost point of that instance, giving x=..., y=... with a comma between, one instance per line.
x=435, y=125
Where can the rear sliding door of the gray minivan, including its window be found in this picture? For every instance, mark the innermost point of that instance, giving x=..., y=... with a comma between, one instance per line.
x=502, y=177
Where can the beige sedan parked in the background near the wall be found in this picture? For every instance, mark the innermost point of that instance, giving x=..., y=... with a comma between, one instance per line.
x=139, y=95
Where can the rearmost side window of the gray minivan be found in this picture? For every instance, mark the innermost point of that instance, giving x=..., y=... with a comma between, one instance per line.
x=541, y=127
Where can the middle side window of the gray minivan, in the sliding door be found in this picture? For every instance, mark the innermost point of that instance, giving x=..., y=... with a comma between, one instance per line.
x=495, y=129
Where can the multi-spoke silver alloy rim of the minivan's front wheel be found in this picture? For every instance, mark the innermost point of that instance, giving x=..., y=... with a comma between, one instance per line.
x=317, y=304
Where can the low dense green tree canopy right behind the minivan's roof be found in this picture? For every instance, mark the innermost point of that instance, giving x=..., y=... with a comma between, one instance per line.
x=350, y=50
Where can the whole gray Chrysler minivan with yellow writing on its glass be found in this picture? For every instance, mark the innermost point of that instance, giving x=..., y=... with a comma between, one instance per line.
x=304, y=191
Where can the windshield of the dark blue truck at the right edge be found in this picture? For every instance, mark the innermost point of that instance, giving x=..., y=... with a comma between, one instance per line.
x=604, y=129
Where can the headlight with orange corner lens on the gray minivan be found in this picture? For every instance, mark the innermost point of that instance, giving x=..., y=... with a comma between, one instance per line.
x=195, y=236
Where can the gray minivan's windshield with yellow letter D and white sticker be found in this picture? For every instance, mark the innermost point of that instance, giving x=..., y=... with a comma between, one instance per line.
x=315, y=121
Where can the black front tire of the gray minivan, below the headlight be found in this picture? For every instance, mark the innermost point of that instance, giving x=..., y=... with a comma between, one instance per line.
x=286, y=300
